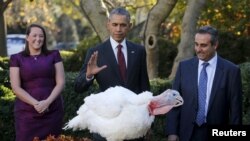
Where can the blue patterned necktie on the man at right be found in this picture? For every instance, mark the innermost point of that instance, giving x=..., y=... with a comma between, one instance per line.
x=200, y=119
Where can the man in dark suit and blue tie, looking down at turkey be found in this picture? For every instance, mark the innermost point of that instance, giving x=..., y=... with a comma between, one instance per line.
x=223, y=91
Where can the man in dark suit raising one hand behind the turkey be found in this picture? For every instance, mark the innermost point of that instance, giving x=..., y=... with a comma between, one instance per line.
x=102, y=62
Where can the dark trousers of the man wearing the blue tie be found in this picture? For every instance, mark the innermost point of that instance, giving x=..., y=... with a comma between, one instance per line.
x=200, y=133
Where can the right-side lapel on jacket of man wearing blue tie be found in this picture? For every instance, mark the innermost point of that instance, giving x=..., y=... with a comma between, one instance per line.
x=216, y=82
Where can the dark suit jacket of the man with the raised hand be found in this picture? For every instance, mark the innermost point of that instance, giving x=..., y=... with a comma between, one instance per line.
x=137, y=76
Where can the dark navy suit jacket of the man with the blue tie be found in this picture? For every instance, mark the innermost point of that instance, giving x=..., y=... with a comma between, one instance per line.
x=225, y=104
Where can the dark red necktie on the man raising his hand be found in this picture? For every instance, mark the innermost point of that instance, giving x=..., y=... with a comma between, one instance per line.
x=121, y=62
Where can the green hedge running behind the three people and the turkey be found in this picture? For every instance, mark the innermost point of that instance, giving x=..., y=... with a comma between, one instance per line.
x=72, y=102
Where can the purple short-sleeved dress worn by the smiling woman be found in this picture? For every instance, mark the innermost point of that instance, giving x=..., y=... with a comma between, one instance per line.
x=37, y=75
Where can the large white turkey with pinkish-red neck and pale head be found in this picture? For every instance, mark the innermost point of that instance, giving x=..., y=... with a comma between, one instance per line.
x=119, y=114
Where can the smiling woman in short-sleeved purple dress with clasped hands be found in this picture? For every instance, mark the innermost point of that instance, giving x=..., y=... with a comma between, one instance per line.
x=37, y=79
